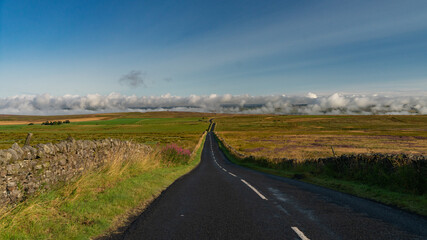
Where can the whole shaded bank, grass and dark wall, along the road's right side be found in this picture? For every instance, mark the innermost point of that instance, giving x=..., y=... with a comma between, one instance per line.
x=404, y=189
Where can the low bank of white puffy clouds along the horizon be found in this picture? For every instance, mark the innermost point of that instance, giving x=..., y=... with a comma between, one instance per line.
x=277, y=104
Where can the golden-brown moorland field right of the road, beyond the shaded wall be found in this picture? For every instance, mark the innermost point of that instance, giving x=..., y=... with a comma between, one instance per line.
x=307, y=137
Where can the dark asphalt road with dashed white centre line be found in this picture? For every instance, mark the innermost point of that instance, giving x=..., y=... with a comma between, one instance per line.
x=220, y=200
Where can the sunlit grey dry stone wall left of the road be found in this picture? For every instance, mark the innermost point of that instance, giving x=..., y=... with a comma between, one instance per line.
x=23, y=171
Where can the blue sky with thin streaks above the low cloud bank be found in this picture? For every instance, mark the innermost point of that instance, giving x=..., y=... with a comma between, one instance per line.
x=150, y=48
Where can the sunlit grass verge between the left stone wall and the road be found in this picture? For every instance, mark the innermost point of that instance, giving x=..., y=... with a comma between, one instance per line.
x=98, y=202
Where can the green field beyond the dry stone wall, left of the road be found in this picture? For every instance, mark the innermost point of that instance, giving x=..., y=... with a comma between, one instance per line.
x=183, y=129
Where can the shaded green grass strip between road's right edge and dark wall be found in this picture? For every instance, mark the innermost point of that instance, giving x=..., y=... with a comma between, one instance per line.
x=411, y=202
